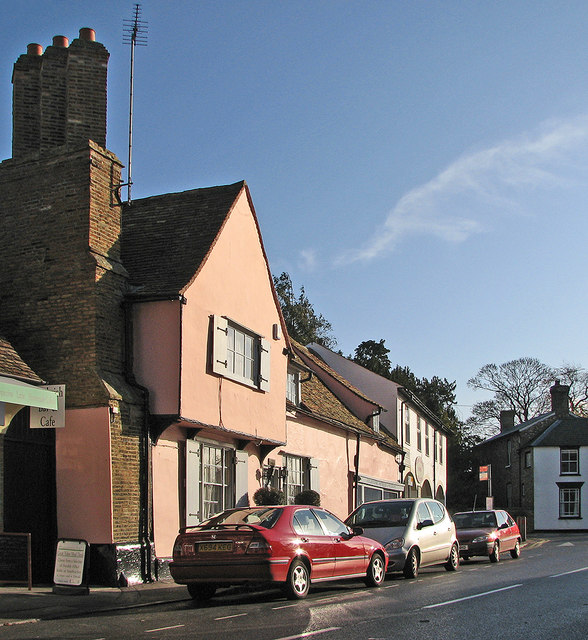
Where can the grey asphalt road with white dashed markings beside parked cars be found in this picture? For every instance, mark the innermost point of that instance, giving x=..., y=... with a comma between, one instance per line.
x=543, y=594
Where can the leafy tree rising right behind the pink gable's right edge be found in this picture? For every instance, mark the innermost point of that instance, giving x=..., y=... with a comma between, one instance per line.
x=303, y=323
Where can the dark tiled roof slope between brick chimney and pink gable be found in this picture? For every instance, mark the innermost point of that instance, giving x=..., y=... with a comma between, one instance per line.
x=166, y=238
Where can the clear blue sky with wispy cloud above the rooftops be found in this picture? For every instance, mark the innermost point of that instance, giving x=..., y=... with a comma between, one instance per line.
x=421, y=167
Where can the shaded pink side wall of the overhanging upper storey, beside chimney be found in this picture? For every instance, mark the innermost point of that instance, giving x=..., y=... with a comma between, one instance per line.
x=156, y=355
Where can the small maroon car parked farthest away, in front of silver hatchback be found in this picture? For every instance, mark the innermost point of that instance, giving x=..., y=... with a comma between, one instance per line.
x=487, y=533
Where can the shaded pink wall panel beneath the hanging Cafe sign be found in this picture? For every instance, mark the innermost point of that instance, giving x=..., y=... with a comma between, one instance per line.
x=84, y=478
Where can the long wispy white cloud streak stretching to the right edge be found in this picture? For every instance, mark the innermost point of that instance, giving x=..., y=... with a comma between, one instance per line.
x=467, y=197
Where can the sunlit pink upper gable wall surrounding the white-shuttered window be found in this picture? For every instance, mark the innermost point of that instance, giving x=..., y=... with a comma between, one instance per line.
x=233, y=282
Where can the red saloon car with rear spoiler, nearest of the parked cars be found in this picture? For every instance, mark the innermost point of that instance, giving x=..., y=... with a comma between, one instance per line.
x=292, y=545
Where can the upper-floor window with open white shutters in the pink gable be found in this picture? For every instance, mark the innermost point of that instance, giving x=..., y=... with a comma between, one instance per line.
x=240, y=354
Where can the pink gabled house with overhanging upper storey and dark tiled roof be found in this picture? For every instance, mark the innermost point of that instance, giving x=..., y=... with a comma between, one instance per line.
x=208, y=342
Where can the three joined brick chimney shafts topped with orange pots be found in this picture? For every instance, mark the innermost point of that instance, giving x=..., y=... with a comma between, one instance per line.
x=59, y=97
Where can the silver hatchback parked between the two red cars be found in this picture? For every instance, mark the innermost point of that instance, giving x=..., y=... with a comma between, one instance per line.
x=416, y=532
